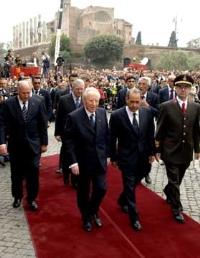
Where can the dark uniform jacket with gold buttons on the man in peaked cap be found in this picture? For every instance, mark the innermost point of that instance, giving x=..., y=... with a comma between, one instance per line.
x=177, y=134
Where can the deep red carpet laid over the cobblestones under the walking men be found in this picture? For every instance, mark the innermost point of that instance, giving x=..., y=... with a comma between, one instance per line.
x=57, y=232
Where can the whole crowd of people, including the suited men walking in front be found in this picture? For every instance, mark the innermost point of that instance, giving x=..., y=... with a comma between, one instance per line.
x=154, y=116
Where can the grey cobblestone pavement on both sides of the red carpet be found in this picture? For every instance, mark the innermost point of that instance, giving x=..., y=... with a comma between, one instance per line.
x=15, y=239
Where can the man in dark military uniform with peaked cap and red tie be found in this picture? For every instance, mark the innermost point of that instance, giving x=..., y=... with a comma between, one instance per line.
x=177, y=137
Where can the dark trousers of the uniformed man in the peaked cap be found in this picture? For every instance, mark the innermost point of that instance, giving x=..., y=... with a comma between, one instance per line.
x=175, y=174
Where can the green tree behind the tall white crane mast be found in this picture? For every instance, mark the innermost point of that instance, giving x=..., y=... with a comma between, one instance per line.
x=64, y=46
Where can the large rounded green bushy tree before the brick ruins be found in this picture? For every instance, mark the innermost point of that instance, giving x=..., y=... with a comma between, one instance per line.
x=104, y=48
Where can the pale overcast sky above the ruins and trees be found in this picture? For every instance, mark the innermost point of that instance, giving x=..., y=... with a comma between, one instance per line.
x=154, y=18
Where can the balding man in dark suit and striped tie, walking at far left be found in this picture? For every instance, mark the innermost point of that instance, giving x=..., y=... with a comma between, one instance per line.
x=23, y=120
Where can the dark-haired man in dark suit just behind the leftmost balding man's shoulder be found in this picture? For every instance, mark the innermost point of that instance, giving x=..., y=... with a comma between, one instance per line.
x=36, y=80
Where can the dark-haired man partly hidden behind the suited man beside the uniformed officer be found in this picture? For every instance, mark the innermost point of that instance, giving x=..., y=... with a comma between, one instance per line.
x=121, y=97
